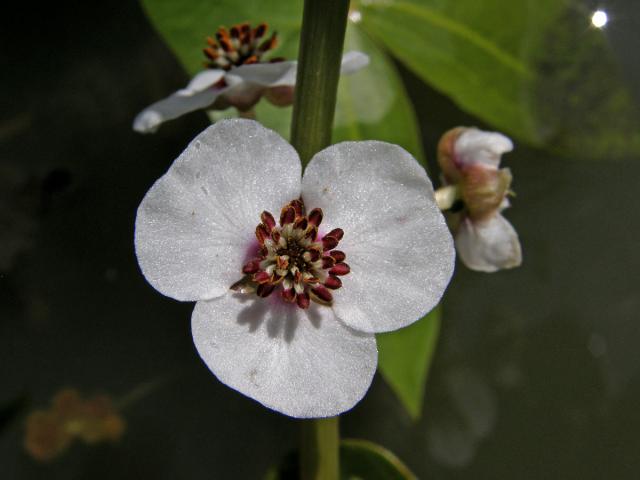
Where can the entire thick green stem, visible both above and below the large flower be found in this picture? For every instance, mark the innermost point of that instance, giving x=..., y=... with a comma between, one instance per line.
x=324, y=24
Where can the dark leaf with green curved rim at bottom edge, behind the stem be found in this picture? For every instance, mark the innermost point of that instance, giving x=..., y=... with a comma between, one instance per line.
x=359, y=460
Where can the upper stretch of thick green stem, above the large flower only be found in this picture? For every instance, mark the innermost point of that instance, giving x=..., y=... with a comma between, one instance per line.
x=324, y=23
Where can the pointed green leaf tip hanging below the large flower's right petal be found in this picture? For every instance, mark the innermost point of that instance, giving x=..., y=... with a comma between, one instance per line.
x=404, y=359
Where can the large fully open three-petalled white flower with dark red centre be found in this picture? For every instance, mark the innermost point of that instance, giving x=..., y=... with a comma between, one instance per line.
x=280, y=316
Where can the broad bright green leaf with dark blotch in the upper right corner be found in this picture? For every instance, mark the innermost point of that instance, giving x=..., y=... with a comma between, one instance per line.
x=530, y=68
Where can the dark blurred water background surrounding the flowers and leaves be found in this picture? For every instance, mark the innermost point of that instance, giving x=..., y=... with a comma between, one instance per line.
x=536, y=372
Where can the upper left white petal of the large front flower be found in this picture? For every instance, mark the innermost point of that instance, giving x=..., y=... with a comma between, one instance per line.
x=196, y=225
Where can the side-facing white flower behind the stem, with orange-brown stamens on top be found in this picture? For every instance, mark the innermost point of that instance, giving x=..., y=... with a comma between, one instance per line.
x=236, y=76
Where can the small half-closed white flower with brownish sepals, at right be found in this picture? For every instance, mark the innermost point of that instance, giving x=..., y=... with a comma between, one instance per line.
x=478, y=191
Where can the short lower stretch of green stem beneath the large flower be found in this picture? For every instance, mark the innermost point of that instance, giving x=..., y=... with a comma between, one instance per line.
x=319, y=447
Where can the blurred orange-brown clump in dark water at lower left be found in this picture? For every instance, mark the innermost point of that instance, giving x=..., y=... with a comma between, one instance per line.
x=50, y=432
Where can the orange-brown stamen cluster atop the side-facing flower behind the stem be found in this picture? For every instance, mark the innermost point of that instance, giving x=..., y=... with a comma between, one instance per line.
x=240, y=45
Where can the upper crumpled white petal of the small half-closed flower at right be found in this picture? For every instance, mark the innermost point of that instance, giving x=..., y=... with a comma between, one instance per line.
x=477, y=146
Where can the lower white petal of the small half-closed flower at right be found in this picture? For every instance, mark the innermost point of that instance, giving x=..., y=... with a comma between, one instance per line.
x=488, y=246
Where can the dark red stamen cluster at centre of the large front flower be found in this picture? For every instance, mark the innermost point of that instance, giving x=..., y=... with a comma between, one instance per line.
x=293, y=259
